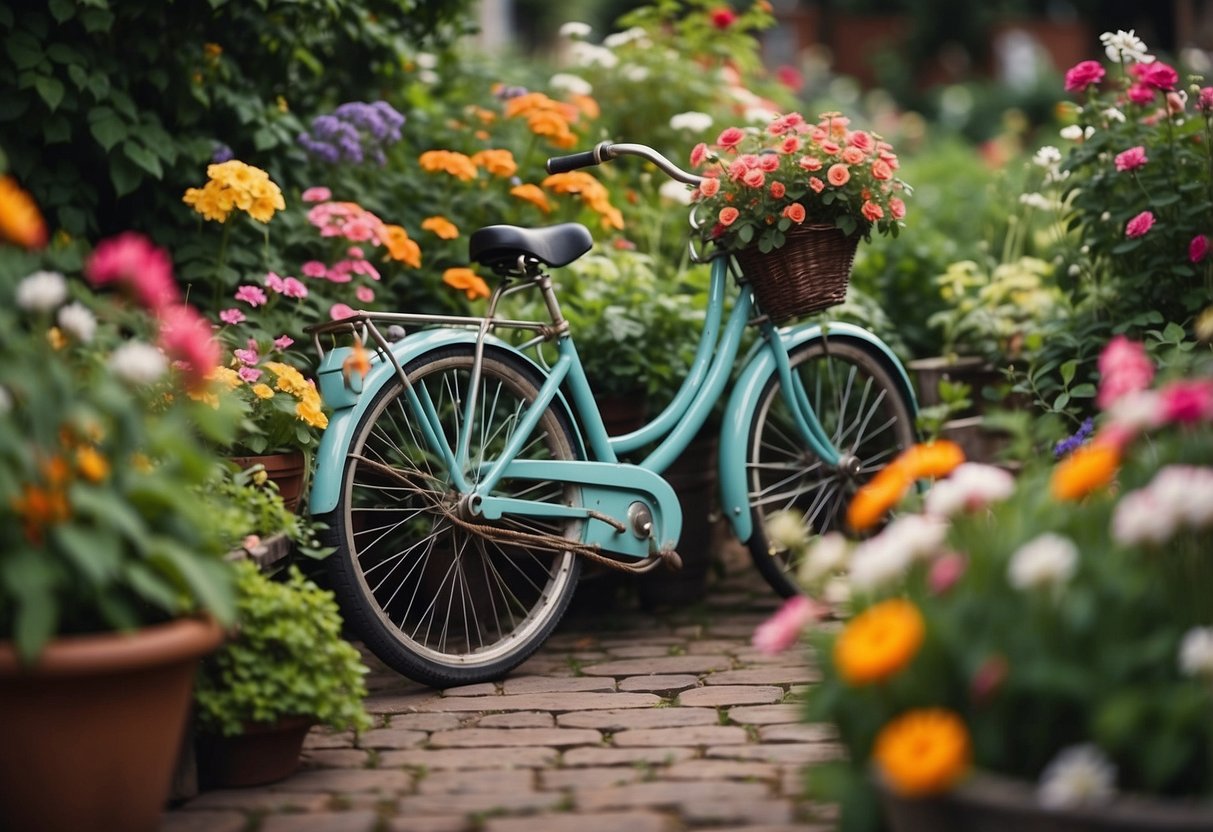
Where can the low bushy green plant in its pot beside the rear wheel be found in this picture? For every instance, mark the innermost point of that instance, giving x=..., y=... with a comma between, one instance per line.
x=284, y=670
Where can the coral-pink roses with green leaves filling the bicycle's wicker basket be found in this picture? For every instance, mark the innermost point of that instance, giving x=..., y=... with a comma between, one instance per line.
x=761, y=183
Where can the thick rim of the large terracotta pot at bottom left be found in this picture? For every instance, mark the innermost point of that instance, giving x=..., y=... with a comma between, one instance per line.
x=118, y=652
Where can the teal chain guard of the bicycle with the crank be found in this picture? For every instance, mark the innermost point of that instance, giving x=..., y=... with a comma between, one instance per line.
x=629, y=510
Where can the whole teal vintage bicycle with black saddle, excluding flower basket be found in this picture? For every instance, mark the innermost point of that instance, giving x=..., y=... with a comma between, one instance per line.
x=466, y=477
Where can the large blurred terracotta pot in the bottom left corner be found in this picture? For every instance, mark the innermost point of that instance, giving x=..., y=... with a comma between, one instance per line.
x=92, y=732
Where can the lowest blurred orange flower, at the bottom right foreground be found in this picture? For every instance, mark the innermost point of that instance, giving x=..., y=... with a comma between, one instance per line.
x=924, y=753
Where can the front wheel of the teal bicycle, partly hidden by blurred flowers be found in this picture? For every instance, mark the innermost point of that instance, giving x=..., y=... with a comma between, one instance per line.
x=864, y=409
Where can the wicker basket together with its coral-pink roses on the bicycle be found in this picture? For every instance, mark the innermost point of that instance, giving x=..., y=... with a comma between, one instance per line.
x=810, y=191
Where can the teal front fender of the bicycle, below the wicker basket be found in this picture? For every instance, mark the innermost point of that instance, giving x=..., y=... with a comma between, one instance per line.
x=743, y=404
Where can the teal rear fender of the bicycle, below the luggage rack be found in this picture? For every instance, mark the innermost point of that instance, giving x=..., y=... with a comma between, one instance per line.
x=350, y=403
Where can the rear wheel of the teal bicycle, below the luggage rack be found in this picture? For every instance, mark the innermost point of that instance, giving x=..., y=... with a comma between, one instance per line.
x=438, y=596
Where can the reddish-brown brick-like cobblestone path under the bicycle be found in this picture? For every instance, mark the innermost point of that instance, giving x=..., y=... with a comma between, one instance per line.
x=625, y=721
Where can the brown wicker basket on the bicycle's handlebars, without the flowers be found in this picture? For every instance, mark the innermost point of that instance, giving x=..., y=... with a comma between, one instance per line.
x=807, y=275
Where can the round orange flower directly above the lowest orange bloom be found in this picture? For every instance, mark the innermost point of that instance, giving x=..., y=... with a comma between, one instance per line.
x=879, y=642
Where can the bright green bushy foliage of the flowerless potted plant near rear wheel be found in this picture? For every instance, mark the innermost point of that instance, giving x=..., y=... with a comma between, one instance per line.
x=287, y=659
